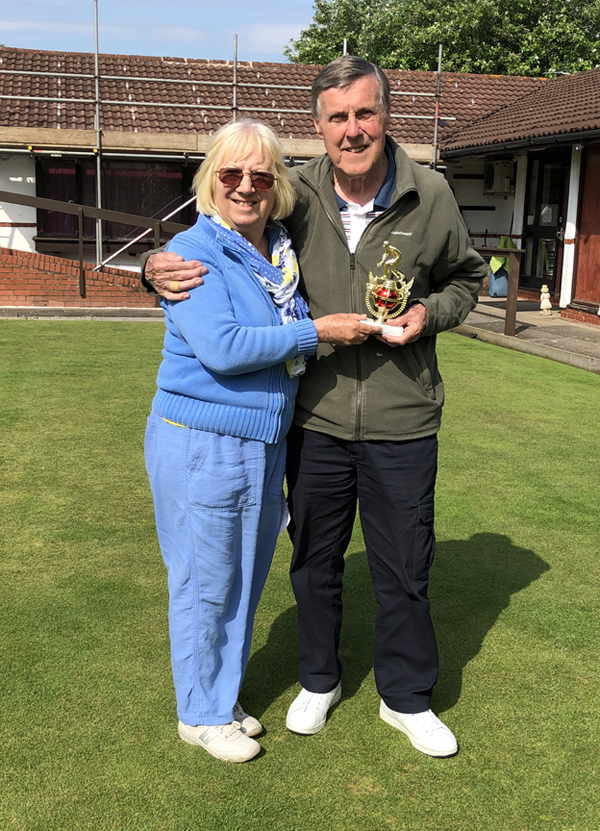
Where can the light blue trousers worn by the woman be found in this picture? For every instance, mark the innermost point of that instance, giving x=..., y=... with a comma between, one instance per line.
x=219, y=507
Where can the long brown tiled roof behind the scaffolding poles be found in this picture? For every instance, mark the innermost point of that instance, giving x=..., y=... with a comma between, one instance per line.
x=207, y=84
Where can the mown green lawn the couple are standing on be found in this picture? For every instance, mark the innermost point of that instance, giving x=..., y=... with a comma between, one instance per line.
x=89, y=735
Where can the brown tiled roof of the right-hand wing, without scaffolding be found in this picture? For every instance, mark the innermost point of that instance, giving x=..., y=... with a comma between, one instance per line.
x=560, y=107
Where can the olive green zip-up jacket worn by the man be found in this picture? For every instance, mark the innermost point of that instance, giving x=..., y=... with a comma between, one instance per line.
x=375, y=391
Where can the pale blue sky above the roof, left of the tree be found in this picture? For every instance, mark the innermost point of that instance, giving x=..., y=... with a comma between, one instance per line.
x=168, y=28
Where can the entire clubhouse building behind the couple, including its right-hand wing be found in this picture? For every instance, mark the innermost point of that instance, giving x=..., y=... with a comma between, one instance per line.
x=501, y=141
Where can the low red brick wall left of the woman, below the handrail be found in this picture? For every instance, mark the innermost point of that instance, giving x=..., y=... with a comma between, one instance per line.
x=30, y=279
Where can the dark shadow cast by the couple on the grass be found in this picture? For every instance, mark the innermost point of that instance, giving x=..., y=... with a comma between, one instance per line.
x=471, y=583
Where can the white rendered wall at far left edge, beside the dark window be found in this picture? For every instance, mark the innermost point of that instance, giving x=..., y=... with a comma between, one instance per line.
x=17, y=175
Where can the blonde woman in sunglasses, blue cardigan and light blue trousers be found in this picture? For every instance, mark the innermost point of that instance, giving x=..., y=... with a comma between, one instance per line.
x=215, y=450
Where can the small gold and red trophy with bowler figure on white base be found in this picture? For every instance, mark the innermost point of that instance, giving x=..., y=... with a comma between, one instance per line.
x=388, y=295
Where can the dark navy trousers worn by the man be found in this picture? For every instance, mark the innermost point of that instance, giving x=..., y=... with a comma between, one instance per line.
x=393, y=484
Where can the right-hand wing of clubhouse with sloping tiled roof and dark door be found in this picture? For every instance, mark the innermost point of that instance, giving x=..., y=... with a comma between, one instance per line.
x=545, y=147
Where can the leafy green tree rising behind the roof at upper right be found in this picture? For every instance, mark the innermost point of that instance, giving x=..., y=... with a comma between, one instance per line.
x=514, y=37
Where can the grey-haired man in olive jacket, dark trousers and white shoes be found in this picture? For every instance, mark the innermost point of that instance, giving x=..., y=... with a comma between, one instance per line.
x=367, y=417
